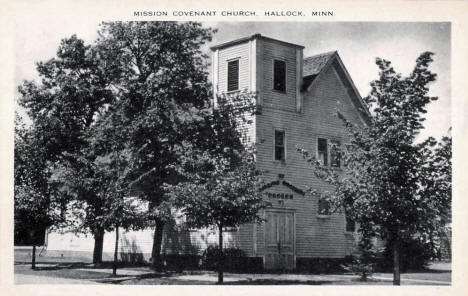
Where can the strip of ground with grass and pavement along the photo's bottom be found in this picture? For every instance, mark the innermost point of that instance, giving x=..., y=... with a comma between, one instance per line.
x=77, y=270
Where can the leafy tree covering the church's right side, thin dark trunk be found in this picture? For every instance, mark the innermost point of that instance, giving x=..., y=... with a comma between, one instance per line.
x=389, y=181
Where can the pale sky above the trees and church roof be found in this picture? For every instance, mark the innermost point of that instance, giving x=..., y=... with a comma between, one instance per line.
x=357, y=43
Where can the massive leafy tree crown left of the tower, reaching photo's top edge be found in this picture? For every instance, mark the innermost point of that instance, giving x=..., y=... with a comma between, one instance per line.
x=108, y=115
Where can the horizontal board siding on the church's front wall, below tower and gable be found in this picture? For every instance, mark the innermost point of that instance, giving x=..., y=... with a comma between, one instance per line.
x=315, y=236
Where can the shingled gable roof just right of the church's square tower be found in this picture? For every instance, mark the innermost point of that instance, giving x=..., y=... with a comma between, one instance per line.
x=314, y=65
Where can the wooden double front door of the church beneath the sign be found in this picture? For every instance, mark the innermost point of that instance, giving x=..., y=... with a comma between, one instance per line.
x=279, y=239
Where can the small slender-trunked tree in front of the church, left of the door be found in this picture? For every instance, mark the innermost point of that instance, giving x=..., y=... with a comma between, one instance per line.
x=220, y=185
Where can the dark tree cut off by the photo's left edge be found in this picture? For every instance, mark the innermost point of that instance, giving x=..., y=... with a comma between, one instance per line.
x=35, y=203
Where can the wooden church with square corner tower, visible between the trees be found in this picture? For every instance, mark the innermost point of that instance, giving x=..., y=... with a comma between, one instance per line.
x=297, y=101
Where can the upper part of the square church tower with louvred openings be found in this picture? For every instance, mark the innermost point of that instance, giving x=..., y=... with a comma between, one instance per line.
x=271, y=68
